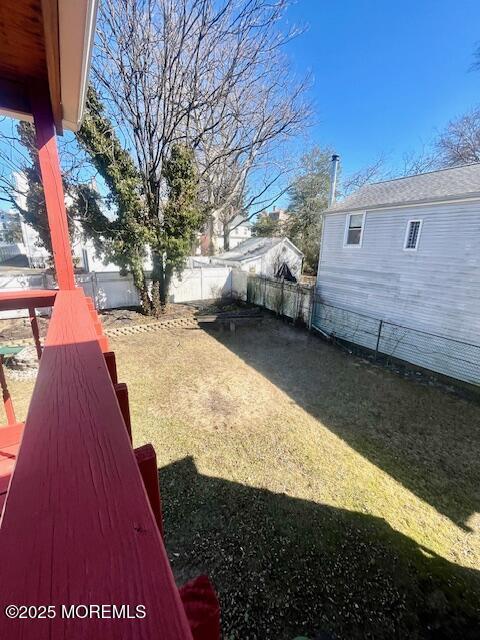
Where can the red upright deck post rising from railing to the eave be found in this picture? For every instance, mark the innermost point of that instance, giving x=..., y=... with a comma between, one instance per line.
x=52, y=185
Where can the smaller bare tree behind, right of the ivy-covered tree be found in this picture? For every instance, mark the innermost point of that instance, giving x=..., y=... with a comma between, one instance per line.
x=244, y=166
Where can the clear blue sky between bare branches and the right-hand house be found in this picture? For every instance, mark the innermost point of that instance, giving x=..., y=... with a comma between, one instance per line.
x=387, y=73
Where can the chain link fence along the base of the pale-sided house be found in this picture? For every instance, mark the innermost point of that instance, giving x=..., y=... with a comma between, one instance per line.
x=447, y=356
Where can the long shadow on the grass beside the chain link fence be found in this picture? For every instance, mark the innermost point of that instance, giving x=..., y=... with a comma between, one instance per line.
x=423, y=437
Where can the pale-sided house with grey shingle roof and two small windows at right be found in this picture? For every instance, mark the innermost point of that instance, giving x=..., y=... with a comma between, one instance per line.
x=407, y=252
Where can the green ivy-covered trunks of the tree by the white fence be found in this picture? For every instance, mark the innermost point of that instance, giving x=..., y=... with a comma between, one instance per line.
x=167, y=231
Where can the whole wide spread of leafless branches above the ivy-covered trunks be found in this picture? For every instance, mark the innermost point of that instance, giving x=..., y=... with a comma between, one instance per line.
x=206, y=74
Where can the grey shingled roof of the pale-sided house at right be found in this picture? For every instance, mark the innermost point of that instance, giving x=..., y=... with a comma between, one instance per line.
x=457, y=183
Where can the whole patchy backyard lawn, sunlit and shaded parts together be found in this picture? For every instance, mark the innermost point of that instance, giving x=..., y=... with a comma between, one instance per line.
x=325, y=497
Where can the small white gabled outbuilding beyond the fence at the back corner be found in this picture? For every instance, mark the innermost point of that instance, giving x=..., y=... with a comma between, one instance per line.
x=272, y=257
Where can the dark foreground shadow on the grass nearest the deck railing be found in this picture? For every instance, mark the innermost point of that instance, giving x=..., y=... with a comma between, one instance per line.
x=284, y=567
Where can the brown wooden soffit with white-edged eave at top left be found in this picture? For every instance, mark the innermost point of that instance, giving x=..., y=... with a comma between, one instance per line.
x=46, y=44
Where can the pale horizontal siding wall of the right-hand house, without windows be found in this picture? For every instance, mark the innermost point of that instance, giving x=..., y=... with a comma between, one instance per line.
x=435, y=289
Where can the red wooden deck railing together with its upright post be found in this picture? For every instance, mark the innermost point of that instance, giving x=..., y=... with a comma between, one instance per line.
x=81, y=520
